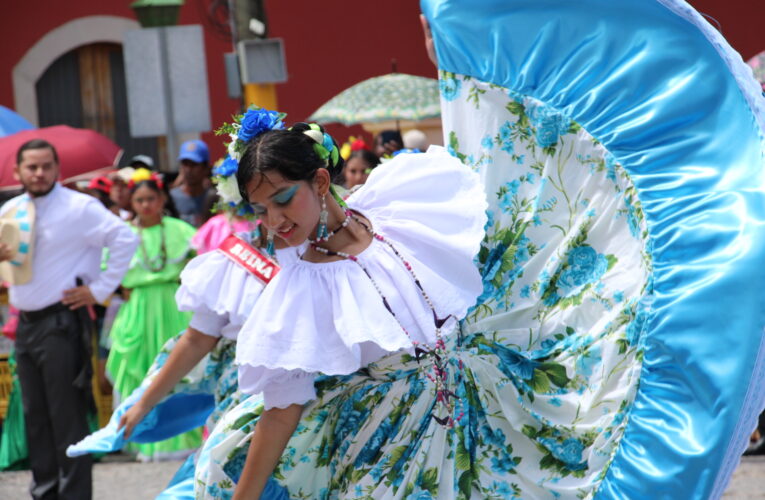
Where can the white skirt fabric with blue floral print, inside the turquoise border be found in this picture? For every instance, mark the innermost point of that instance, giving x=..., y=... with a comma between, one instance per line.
x=550, y=355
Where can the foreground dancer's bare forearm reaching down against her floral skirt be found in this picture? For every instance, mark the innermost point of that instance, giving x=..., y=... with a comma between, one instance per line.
x=272, y=432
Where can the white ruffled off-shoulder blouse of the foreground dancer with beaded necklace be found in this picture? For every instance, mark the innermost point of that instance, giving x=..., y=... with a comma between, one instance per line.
x=328, y=318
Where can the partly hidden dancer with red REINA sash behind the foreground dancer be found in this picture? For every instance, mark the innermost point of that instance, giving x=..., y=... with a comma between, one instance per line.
x=219, y=289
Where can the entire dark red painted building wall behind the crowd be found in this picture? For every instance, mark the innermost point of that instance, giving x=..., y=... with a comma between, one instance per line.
x=330, y=45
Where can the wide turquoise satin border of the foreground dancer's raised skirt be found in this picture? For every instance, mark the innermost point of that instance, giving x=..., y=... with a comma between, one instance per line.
x=657, y=93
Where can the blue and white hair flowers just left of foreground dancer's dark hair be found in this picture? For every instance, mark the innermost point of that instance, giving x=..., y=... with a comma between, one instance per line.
x=244, y=128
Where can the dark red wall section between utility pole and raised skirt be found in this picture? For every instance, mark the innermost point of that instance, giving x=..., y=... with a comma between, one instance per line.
x=333, y=45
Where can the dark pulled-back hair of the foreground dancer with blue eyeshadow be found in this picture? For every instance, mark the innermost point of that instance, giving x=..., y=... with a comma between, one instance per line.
x=289, y=152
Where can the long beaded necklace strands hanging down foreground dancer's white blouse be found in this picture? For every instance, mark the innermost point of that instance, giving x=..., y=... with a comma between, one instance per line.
x=439, y=375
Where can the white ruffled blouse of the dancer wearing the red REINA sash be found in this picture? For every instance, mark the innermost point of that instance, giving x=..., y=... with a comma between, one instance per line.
x=221, y=293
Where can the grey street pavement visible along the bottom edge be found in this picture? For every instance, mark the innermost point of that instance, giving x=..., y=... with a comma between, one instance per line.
x=117, y=479
